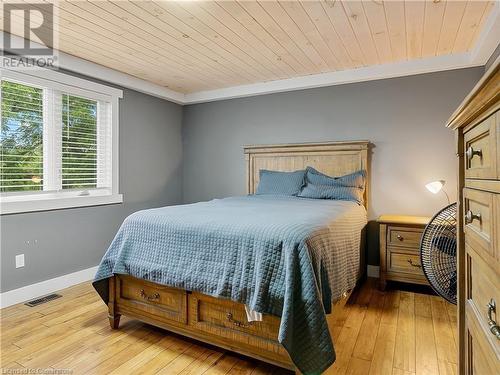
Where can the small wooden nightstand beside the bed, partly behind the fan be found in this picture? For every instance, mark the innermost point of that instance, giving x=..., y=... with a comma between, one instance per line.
x=400, y=249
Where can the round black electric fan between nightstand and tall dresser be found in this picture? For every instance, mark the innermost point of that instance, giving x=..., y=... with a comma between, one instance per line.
x=438, y=253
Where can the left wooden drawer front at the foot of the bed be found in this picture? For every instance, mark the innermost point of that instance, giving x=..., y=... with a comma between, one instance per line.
x=167, y=303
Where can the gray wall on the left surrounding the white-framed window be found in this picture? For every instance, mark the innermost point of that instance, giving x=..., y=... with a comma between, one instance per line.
x=74, y=239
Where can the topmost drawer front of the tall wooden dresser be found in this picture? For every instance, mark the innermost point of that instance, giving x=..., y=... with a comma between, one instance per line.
x=480, y=145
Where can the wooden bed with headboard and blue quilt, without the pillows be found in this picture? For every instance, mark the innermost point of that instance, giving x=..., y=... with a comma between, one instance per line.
x=197, y=269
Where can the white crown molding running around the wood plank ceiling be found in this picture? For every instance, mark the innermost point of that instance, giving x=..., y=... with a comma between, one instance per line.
x=486, y=44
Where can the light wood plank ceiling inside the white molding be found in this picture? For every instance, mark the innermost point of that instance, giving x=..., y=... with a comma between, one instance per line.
x=191, y=46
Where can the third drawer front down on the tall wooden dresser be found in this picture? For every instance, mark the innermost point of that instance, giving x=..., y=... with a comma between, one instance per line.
x=482, y=289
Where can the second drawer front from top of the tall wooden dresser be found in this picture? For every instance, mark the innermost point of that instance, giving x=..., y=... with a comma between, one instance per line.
x=479, y=222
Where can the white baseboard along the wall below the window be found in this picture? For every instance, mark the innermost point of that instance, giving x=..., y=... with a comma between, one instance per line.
x=45, y=287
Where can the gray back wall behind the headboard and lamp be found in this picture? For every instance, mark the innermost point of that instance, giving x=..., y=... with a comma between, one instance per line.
x=403, y=117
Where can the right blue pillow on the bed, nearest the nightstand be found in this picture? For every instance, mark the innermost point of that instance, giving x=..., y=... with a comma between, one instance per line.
x=350, y=187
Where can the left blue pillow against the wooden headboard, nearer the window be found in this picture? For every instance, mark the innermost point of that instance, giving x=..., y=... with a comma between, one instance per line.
x=280, y=183
